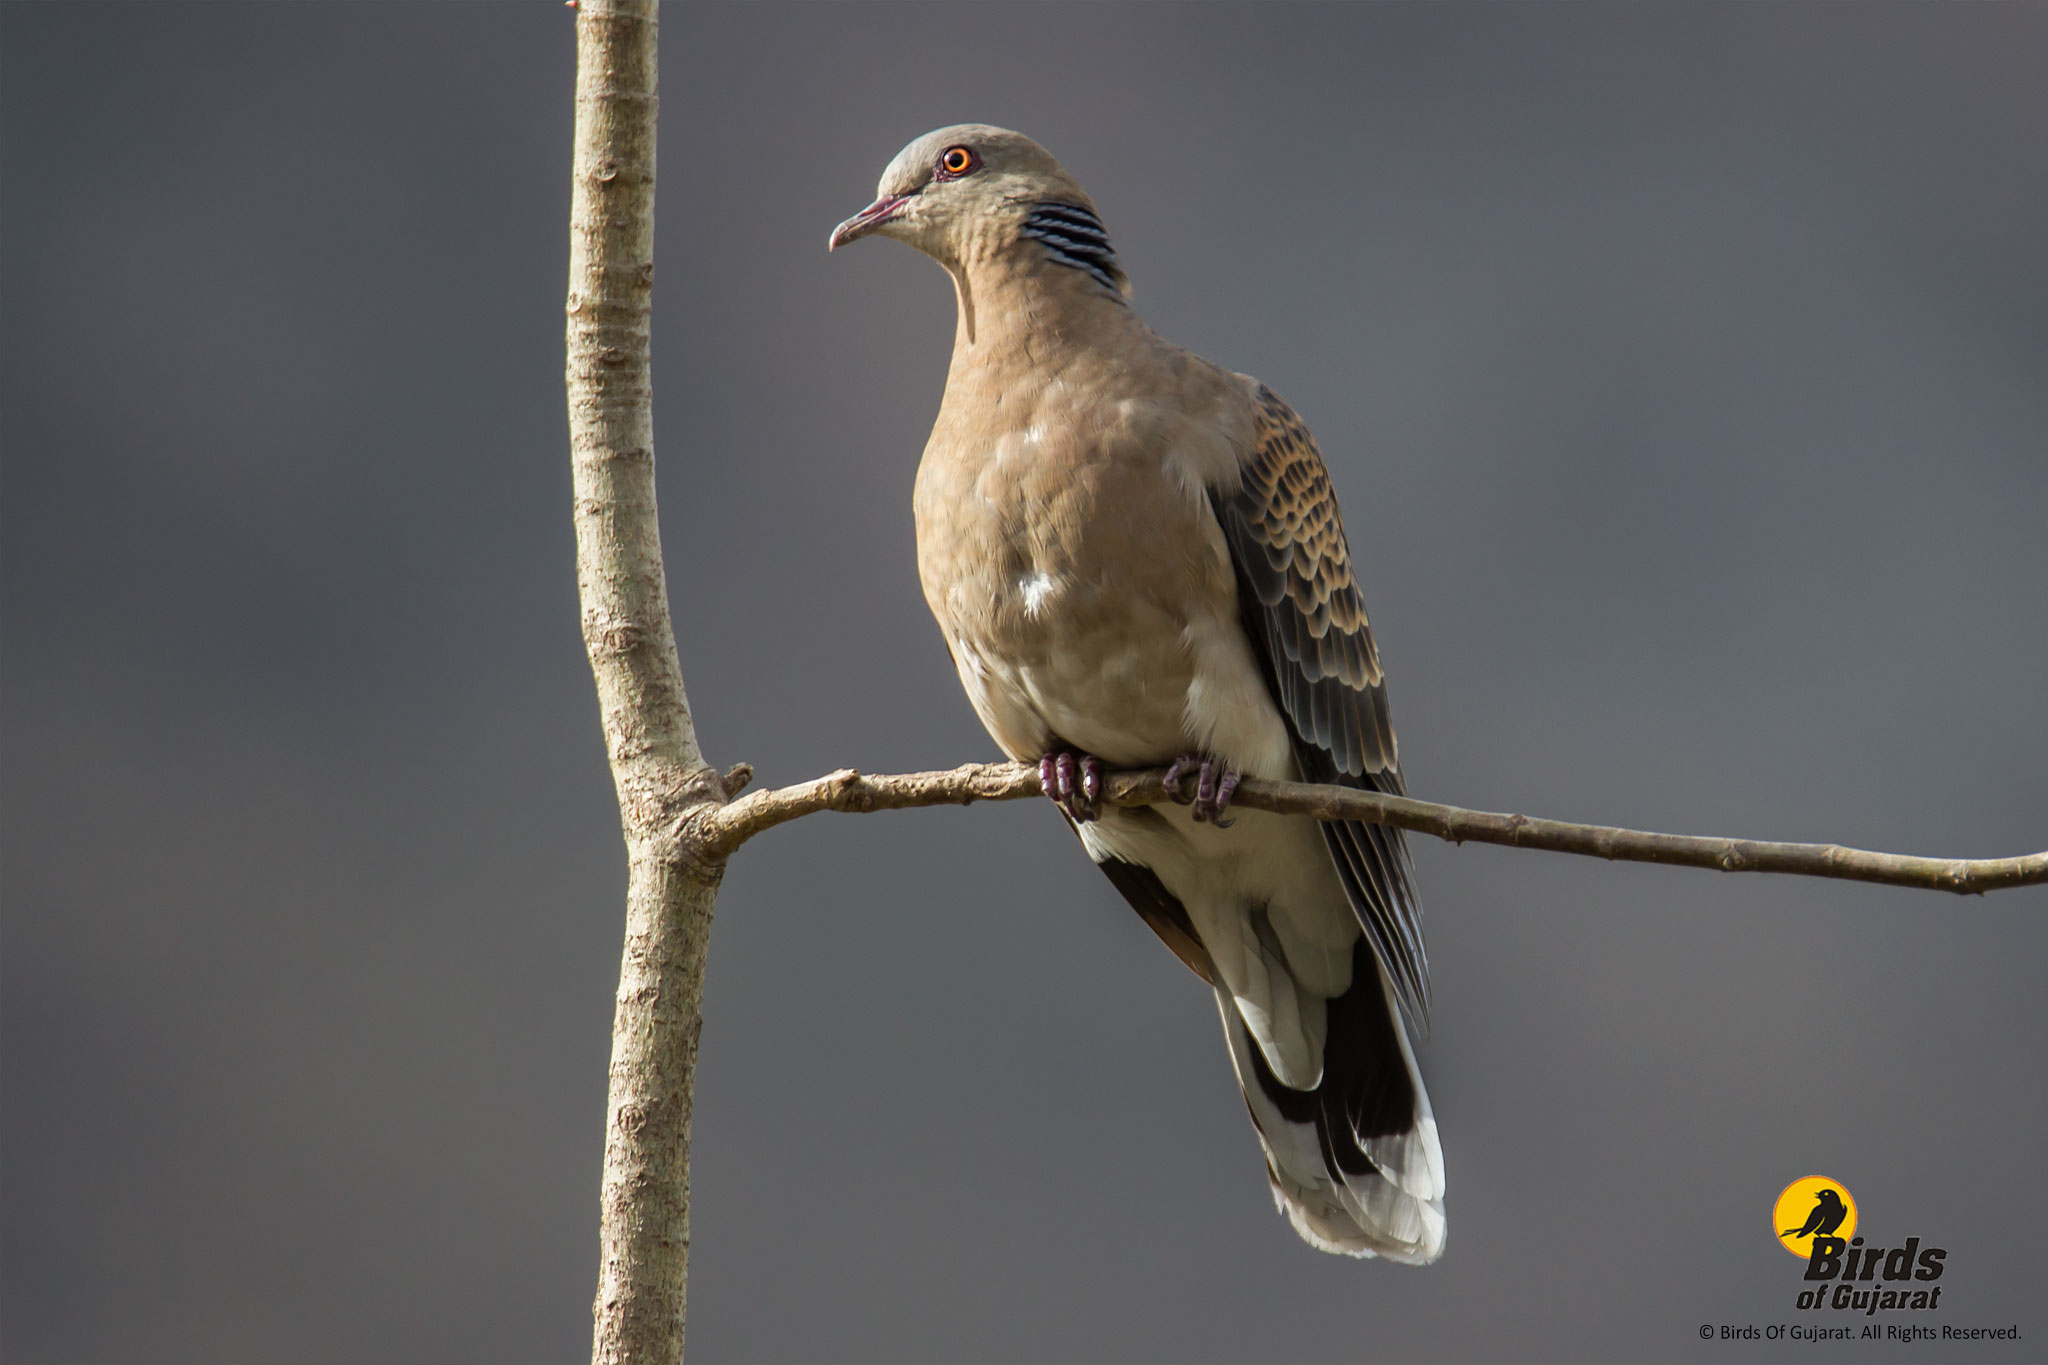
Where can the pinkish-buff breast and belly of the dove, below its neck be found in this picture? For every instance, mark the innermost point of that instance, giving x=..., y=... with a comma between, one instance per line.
x=1086, y=590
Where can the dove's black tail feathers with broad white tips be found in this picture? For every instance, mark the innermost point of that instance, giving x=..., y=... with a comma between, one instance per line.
x=1355, y=1163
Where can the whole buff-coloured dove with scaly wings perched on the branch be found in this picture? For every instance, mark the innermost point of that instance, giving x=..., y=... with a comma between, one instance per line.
x=1138, y=560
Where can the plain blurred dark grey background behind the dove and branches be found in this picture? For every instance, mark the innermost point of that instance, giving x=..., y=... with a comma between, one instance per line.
x=1684, y=373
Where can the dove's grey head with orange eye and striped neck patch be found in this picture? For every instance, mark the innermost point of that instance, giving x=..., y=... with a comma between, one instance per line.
x=968, y=195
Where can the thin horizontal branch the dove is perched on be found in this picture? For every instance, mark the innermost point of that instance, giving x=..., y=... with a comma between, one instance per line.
x=728, y=828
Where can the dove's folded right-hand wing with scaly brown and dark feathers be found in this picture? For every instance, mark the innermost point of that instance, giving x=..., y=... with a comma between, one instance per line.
x=1308, y=625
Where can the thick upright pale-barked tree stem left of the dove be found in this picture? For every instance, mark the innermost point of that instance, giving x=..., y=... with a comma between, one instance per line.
x=656, y=766
